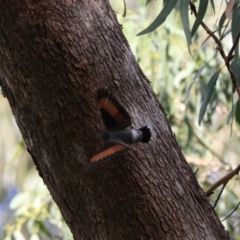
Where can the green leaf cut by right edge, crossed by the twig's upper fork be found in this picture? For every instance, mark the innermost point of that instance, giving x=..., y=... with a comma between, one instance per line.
x=235, y=30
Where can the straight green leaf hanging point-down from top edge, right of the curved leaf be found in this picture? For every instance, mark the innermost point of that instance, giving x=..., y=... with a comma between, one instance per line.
x=183, y=8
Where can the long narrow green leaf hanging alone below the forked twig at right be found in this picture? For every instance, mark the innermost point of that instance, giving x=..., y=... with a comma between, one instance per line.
x=207, y=95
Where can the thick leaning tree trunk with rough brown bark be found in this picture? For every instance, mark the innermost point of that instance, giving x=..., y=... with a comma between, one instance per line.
x=54, y=56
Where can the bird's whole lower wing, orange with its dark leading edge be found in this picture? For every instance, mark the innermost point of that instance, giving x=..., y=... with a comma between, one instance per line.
x=110, y=149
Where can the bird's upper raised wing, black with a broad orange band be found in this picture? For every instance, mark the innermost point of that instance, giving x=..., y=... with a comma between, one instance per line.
x=114, y=116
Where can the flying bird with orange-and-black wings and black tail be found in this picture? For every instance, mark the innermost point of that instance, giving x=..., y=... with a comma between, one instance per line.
x=120, y=135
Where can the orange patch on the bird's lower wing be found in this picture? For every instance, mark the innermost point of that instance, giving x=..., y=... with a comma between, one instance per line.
x=108, y=152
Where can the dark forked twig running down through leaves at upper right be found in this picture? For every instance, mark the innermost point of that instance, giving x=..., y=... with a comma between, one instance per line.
x=226, y=59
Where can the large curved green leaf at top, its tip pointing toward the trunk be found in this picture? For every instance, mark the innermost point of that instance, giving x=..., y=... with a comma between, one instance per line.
x=167, y=8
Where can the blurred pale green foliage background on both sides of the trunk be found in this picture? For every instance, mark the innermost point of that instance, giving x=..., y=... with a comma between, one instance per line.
x=179, y=80
